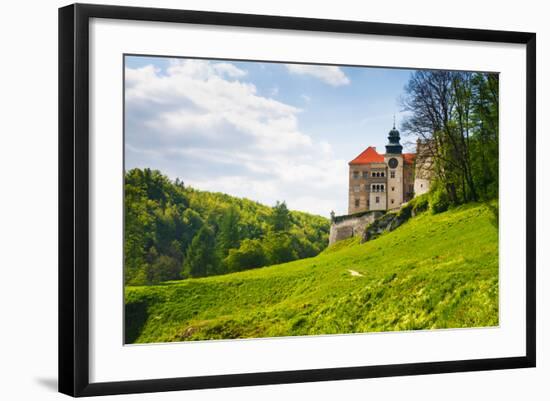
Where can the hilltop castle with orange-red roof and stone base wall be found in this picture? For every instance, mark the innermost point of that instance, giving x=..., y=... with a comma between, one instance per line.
x=382, y=182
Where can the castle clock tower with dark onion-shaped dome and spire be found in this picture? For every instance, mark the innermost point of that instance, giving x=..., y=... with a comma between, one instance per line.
x=394, y=160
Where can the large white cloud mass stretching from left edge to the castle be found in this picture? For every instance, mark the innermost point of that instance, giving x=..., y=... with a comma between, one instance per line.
x=199, y=121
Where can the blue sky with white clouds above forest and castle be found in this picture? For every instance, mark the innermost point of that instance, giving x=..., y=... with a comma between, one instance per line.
x=265, y=131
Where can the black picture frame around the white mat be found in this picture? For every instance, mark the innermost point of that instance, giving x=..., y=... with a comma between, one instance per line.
x=74, y=198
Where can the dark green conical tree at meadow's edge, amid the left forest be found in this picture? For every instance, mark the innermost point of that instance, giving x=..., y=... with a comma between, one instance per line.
x=201, y=259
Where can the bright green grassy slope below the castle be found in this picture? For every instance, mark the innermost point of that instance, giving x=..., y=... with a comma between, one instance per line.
x=435, y=271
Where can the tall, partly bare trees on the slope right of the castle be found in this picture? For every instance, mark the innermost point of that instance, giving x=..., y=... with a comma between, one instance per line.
x=456, y=115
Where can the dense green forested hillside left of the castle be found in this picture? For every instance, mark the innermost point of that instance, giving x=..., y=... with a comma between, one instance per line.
x=173, y=231
